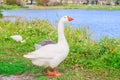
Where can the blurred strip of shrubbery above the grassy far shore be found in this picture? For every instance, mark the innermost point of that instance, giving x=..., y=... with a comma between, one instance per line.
x=53, y=2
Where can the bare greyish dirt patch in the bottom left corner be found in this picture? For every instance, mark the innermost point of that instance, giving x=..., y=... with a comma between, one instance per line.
x=16, y=77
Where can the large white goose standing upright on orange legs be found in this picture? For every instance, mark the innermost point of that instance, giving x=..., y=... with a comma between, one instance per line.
x=51, y=55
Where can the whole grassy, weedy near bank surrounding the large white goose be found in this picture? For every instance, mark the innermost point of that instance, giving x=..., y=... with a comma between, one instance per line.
x=87, y=60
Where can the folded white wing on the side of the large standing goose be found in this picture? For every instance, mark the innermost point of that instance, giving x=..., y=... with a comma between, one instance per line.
x=49, y=51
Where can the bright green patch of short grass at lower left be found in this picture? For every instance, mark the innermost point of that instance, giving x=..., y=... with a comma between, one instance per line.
x=12, y=68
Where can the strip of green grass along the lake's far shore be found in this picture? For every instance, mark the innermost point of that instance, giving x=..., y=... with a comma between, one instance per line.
x=63, y=6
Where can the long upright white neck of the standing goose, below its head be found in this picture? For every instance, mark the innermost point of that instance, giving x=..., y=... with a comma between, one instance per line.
x=61, y=36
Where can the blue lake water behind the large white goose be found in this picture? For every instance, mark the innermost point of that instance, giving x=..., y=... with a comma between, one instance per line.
x=101, y=22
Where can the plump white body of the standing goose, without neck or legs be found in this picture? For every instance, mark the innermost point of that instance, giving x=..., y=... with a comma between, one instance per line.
x=51, y=57
